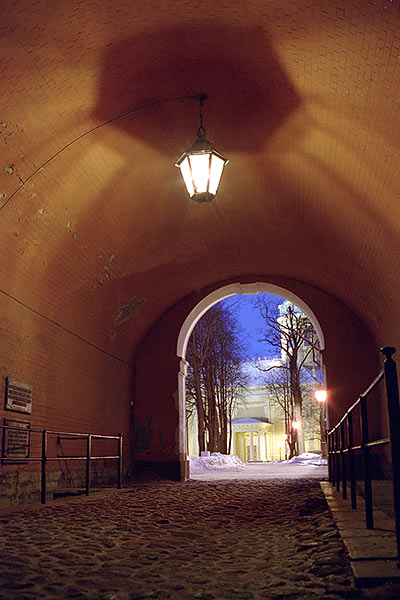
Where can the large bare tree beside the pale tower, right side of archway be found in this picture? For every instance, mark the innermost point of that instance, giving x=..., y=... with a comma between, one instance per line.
x=293, y=335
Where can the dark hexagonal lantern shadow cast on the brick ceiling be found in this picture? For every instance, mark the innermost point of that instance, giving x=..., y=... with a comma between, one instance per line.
x=250, y=94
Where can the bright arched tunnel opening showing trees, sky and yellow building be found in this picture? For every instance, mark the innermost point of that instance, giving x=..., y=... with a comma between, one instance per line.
x=255, y=420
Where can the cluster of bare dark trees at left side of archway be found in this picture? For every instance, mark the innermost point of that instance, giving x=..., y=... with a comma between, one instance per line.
x=215, y=356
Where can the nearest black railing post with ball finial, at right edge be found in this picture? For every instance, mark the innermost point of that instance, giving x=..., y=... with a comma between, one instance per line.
x=392, y=394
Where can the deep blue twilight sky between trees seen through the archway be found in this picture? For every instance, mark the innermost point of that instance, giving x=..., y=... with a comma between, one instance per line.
x=251, y=323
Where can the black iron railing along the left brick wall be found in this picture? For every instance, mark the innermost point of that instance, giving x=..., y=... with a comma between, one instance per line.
x=43, y=454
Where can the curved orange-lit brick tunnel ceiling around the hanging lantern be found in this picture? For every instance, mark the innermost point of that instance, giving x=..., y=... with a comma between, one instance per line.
x=303, y=99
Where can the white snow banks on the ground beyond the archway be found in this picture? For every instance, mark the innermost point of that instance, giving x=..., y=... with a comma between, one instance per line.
x=218, y=461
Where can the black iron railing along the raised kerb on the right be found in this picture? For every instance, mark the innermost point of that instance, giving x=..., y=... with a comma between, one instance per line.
x=342, y=447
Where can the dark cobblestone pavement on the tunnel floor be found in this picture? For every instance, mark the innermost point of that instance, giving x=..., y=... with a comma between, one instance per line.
x=201, y=540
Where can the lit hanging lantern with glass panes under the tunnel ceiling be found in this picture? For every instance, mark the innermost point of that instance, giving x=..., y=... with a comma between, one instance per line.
x=201, y=166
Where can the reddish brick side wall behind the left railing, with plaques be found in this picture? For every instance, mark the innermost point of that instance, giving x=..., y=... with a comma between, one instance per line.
x=76, y=388
